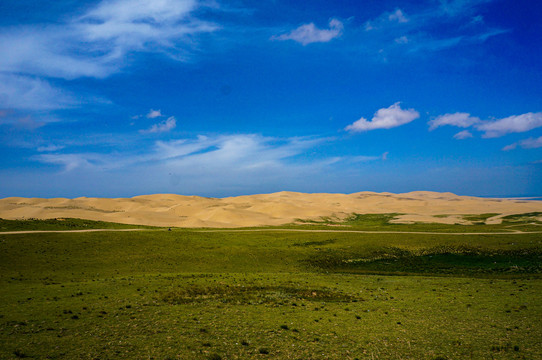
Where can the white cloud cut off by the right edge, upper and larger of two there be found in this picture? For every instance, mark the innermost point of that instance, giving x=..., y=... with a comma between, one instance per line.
x=511, y=124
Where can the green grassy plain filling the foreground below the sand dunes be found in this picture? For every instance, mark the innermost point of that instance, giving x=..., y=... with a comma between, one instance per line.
x=199, y=294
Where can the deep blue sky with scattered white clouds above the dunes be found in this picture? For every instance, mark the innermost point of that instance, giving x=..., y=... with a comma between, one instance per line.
x=118, y=98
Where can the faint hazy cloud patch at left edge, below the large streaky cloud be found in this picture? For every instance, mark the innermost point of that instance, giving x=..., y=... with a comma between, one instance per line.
x=29, y=93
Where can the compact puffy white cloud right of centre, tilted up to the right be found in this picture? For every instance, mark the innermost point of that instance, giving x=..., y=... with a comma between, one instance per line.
x=386, y=118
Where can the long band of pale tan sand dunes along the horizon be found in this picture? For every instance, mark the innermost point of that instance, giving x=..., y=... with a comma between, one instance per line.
x=264, y=209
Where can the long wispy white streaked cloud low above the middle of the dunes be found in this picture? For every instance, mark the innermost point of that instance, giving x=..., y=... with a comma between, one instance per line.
x=222, y=152
